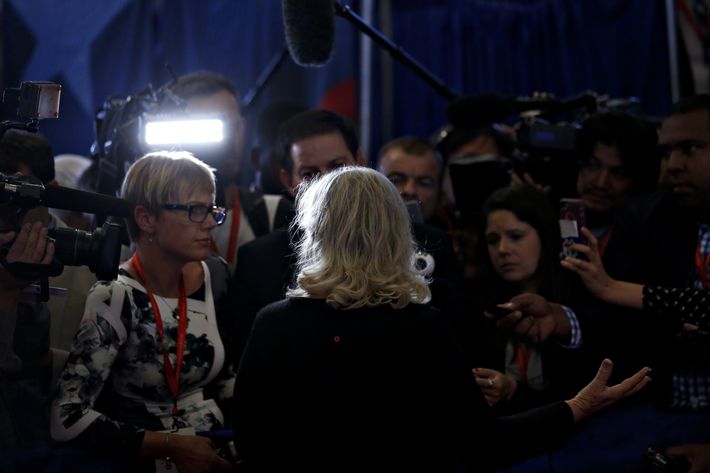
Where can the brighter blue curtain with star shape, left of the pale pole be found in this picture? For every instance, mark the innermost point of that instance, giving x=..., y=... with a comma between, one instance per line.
x=109, y=48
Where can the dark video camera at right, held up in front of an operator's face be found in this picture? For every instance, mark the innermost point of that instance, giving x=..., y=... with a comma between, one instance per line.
x=541, y=140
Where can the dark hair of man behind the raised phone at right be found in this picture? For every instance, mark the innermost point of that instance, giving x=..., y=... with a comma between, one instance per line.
x=633, y=137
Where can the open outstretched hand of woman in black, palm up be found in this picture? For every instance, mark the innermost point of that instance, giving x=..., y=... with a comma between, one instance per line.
x=597, y=395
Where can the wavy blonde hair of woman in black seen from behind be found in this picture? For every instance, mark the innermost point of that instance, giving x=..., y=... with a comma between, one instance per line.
x=356, y=247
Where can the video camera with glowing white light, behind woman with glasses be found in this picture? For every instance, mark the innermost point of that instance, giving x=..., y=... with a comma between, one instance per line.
x=150, y=120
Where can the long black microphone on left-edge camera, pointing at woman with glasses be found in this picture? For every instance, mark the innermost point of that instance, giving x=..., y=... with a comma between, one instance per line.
x=72, y=199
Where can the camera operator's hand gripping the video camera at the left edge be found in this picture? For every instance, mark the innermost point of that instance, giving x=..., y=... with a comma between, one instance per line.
x=30, y=245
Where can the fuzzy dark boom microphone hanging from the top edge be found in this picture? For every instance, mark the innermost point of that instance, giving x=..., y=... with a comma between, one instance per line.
x=310, y=30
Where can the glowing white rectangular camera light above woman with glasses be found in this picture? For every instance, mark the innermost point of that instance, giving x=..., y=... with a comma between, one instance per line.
x=166, y=132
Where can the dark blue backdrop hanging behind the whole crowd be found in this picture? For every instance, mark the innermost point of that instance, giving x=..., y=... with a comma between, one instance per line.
x=97, y=49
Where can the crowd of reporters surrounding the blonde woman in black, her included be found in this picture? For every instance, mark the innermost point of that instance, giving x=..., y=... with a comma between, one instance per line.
x=364, y=315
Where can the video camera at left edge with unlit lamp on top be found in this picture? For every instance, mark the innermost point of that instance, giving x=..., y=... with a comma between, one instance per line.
x=100, y=249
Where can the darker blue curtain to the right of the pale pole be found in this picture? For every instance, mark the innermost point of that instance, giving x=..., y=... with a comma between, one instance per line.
x=516, y=47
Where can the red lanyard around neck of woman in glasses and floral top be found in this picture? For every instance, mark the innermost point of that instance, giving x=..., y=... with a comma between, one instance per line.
x=172, y=373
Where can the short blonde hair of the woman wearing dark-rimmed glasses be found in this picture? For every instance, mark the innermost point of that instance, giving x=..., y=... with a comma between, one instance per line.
x=164, y=177
